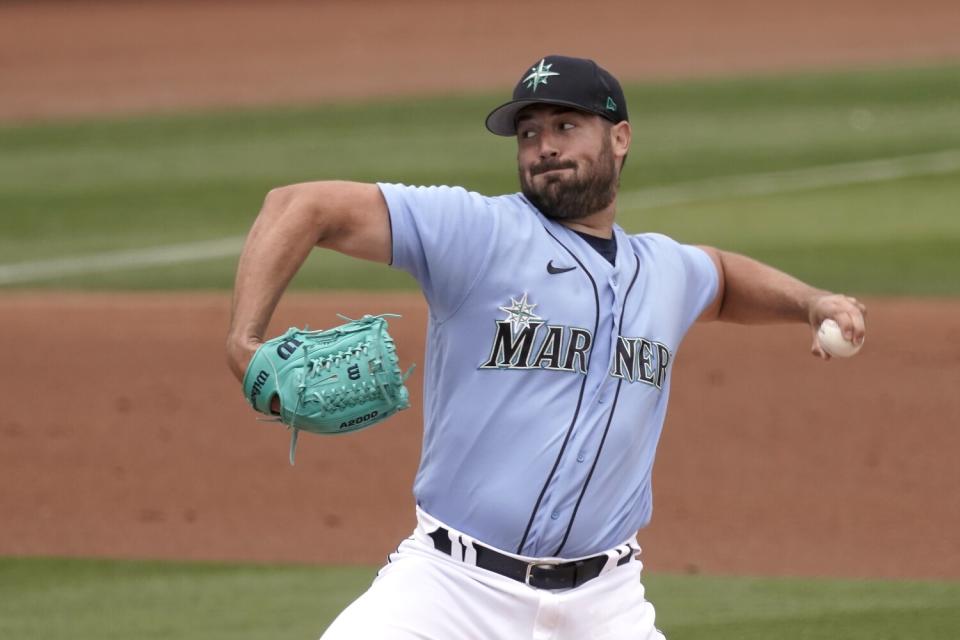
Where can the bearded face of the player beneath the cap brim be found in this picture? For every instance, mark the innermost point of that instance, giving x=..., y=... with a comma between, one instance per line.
x=565, y=161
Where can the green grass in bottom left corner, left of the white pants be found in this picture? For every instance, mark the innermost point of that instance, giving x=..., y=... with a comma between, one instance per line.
x=84, y=599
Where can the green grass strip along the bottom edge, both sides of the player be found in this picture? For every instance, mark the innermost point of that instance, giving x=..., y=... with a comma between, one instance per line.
x=104, y=599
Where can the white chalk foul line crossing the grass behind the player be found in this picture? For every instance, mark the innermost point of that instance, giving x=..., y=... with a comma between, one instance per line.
x=650, y=198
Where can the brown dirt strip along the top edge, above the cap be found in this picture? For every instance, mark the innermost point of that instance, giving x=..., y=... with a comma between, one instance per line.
x=103, y=56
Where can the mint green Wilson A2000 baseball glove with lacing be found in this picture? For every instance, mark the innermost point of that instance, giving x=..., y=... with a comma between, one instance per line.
x=334, y=381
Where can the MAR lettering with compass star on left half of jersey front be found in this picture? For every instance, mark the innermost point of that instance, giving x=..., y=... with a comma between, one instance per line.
x=523, y=340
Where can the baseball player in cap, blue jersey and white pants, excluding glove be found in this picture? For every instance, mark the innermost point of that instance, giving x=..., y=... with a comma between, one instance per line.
x=551, y=342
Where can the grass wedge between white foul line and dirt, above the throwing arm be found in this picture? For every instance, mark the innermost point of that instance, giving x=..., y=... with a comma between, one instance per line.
x=900, y=237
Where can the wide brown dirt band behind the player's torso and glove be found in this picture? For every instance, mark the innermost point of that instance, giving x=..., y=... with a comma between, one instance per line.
x=133, y=440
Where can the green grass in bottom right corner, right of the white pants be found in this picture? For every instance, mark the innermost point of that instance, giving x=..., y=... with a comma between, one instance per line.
x=718, y=608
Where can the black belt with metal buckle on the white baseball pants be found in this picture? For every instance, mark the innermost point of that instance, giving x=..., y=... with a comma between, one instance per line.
x=542, y=575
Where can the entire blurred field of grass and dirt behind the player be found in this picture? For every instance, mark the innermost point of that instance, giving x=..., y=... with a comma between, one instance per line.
x=137, y=140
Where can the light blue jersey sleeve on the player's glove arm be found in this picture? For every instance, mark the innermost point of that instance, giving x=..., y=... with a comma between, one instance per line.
x=443, y=237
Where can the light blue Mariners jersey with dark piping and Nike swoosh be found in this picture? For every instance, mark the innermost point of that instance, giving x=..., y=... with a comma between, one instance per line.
x=547, y=368
